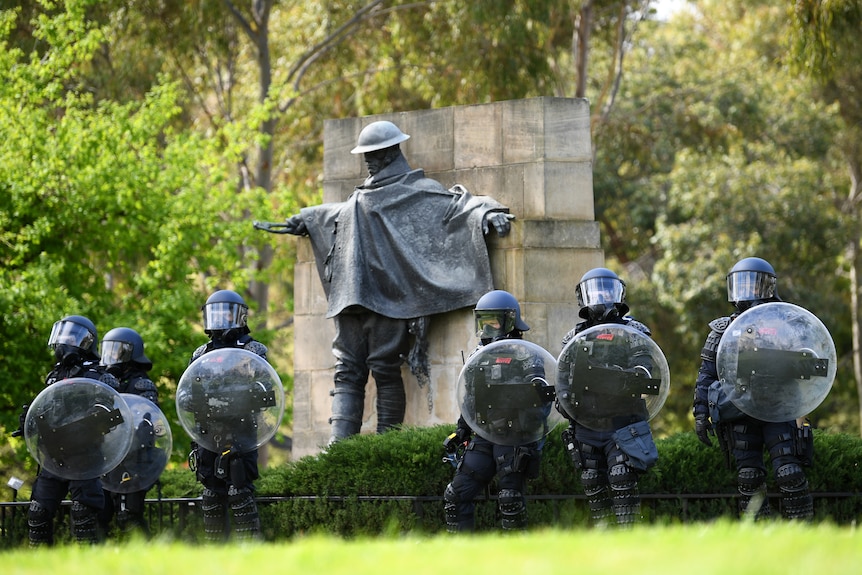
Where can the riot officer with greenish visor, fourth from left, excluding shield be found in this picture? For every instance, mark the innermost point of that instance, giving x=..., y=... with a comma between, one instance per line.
x=497, y=317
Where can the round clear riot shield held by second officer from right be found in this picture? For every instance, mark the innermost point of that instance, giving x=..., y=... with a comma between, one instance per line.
x=610, y=375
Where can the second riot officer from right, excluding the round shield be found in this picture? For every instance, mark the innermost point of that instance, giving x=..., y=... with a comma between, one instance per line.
x=609, y=474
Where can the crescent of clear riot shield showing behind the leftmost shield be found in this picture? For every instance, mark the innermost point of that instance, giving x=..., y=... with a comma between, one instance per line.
x=150, y=449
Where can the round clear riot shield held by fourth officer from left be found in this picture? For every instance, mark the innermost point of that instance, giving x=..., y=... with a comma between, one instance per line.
x=504, y=393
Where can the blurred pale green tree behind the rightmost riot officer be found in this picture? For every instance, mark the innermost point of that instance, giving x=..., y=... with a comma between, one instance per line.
x=713, y=152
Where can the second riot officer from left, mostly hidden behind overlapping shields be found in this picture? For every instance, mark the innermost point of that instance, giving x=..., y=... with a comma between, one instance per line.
x=122, y=355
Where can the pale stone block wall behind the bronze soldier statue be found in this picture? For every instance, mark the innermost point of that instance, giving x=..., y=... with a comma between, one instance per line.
x=534, y=156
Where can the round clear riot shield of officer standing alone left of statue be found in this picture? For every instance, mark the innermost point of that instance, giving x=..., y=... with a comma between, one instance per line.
x=230, y=398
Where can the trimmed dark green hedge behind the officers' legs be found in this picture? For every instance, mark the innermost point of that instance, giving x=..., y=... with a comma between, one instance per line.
x=405, y=467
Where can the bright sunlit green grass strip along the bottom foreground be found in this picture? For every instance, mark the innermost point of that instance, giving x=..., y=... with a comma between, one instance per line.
x=727, y=548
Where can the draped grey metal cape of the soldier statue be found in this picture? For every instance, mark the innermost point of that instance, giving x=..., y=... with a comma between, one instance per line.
x=404, y=247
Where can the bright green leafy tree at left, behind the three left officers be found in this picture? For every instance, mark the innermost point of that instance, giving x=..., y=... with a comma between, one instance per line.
x=106, y=211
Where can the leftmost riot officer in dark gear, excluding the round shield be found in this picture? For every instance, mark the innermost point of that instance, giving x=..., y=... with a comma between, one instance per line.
x=75, y=343
